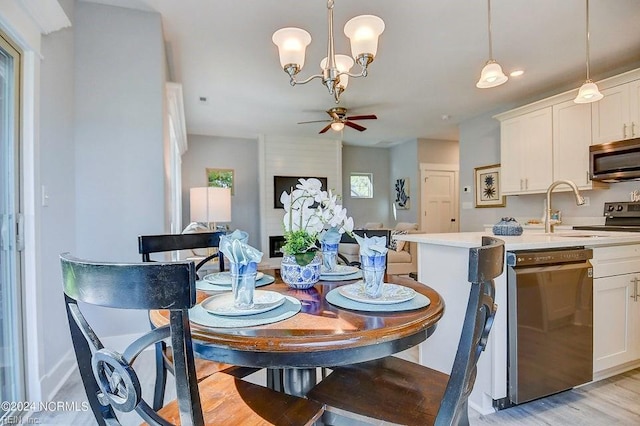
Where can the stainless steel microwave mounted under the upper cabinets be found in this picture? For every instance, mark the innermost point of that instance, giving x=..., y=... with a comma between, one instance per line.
x=615, y=161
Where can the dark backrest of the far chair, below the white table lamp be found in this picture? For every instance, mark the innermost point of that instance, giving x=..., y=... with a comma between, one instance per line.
x=148, y=244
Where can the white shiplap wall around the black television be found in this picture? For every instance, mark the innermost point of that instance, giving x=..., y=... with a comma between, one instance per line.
x=284, y=156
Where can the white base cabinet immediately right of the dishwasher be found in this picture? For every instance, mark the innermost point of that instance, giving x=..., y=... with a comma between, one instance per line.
x=616, y=306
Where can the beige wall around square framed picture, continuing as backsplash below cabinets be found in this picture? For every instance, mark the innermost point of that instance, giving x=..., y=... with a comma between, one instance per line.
x=480, y=146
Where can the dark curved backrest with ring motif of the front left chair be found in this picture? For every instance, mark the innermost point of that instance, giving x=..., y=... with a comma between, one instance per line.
x=109, y=377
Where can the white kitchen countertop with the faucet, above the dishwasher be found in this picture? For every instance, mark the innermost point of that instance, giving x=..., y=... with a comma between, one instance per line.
x=528, y=241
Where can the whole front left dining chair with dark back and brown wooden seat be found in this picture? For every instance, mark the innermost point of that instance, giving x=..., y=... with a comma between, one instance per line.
x=110, y=378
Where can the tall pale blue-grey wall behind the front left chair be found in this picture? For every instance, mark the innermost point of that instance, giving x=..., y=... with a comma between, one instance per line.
x=119, y=98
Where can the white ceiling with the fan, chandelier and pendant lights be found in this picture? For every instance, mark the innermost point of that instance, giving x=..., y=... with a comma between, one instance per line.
x=429, y=59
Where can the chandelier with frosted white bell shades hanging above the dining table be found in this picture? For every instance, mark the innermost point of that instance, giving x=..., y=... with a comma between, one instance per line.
x=363, y=32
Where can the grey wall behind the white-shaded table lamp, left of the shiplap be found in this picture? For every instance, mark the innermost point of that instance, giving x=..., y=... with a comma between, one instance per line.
x=241, y=155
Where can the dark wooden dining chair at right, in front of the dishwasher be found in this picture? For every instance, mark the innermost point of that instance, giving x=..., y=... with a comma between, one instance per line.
x=399, y=391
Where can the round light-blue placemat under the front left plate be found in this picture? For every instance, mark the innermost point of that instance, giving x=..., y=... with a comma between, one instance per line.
x=289, y=308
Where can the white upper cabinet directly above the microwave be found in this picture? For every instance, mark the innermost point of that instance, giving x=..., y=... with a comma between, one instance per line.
x=617, y=115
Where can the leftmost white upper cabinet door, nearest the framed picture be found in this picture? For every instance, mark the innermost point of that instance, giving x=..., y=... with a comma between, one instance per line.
x=526, y=152
